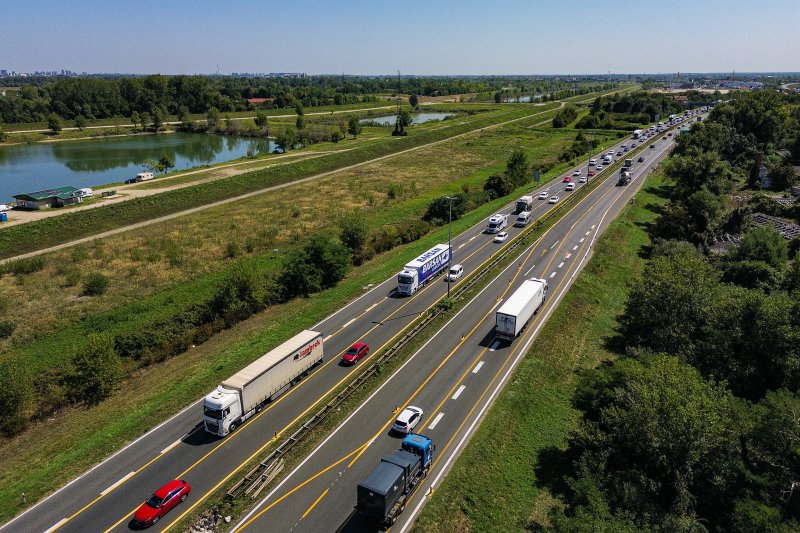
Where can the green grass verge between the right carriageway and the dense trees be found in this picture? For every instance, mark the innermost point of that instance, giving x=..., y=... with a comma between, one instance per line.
x=501, y=480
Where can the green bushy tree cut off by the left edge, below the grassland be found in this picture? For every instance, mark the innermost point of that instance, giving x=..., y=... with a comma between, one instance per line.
x=16, y=395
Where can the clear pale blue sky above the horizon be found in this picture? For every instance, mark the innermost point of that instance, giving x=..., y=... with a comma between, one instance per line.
x=415, y=37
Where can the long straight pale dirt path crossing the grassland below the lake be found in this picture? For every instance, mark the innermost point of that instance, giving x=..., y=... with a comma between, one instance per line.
x=256, y=193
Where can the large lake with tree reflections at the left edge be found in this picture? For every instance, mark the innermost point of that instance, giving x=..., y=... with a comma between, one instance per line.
x=33, y=167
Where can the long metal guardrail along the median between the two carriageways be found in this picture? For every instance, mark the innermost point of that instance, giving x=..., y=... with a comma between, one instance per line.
x=265, y=471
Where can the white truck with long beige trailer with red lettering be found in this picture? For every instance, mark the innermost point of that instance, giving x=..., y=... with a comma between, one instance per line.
x=245, y=393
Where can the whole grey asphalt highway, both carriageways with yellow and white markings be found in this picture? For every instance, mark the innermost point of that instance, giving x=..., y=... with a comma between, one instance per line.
x=104, y=498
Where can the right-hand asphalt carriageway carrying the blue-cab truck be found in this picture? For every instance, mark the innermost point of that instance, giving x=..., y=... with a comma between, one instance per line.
x=453, y=378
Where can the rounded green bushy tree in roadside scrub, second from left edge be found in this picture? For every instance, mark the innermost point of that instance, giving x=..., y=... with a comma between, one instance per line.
x=96, y=369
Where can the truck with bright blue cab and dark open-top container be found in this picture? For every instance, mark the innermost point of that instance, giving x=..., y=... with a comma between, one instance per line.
x=383, y=495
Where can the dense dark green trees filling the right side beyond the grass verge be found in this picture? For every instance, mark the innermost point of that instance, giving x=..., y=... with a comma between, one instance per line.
x=697, y=426
